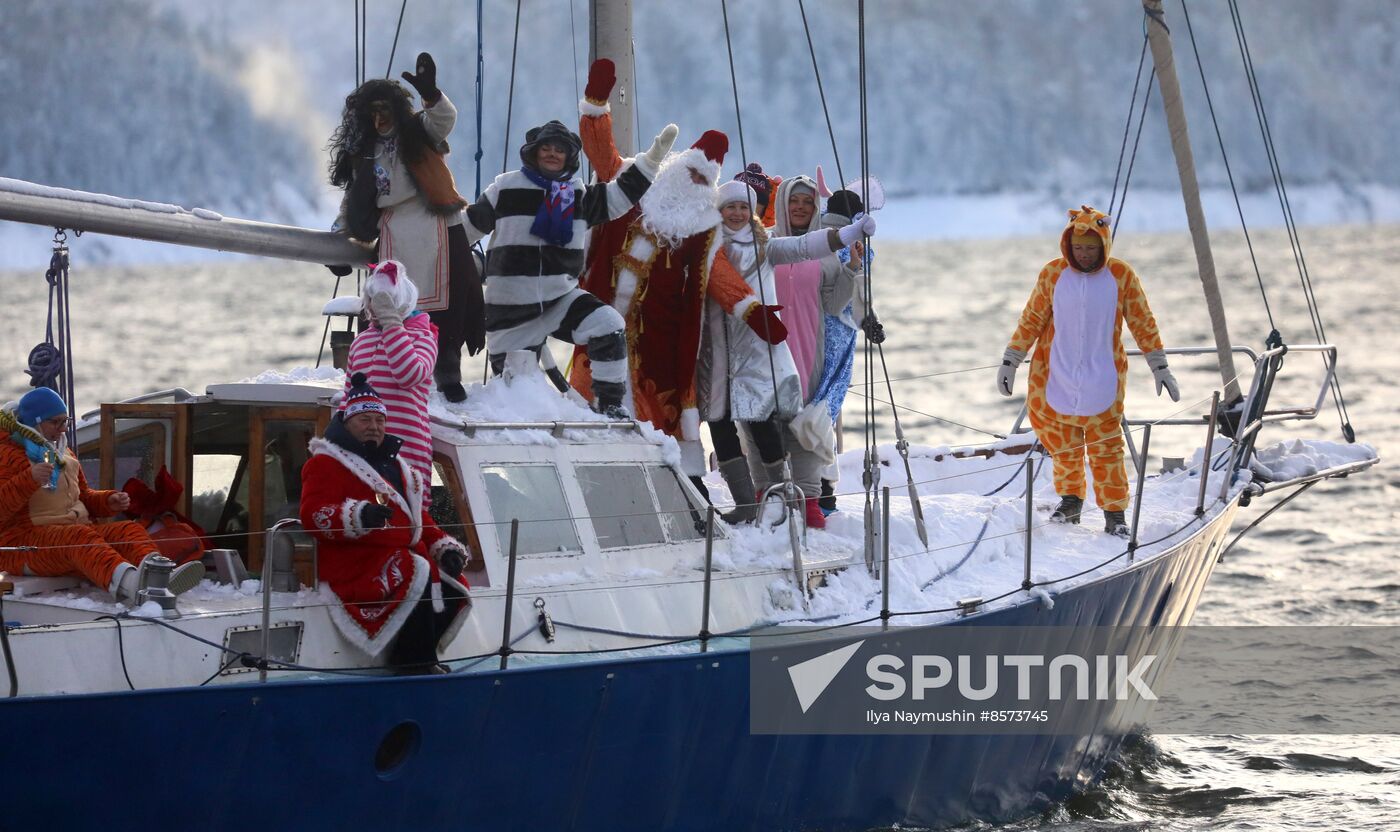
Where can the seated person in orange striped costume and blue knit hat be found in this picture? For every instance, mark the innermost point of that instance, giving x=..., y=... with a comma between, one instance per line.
x=47, y=504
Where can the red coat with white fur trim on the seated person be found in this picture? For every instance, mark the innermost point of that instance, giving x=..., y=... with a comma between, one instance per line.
x=373, y=571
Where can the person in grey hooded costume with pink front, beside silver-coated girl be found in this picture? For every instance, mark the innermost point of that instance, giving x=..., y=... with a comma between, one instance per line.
x=813, y=293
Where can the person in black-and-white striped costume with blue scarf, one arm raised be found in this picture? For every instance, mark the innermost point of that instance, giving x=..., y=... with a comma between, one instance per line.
x=538, y=218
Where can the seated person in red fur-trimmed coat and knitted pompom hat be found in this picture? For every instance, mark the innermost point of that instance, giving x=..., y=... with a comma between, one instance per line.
x=395, y=572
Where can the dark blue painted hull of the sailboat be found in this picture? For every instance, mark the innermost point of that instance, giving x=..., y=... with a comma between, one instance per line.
x=659, y=743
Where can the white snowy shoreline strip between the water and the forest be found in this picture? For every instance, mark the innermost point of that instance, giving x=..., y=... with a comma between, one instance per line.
x=906, y=219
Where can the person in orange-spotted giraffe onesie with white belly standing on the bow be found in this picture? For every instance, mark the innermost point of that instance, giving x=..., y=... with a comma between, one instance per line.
x=1079, y=373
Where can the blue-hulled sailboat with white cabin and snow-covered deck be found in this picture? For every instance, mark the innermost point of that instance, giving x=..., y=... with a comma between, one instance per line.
x=603, y=680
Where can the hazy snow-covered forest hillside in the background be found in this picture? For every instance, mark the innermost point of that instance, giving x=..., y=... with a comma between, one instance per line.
x=229, y=106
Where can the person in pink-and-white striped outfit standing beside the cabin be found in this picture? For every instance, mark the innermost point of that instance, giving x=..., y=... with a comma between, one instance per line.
x=397, y=354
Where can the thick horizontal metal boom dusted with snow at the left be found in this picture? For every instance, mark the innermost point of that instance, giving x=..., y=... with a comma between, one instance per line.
x=78, y=211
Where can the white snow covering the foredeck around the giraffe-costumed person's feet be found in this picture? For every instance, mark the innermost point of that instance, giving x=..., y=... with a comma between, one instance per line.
x=975, y=516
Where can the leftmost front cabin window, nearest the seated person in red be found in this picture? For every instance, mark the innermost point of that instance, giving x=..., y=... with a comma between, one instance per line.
x=533, y=495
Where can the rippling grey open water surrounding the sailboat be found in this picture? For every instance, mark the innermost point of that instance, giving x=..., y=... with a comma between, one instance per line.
x=1326, y=560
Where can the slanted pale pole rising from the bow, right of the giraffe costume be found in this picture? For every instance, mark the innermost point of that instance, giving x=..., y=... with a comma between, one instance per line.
x=1161, y=43
